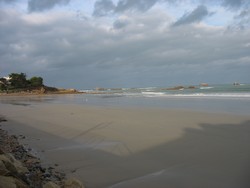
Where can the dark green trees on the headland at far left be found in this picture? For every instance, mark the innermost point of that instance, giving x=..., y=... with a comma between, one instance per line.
x=16, y=81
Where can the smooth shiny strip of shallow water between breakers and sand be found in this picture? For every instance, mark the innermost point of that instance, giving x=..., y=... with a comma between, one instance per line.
x=197, y=104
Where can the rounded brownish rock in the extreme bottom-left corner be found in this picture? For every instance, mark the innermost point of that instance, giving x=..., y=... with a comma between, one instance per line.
x=11, y=182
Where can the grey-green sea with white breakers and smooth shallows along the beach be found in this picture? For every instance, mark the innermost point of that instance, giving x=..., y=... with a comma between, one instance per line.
x=228, y=98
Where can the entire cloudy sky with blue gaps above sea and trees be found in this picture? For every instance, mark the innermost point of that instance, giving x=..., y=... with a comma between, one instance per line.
x=126, y=43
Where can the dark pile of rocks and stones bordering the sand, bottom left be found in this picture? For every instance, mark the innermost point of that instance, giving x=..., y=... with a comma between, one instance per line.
x=20, y=169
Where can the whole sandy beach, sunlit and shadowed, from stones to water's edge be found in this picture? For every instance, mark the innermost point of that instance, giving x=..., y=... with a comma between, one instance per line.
x=135, y=147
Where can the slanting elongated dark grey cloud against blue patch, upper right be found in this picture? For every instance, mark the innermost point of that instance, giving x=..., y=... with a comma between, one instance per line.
x=195, y=16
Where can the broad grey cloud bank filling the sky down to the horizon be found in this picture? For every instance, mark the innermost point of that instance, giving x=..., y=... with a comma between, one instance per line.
x=90, y=53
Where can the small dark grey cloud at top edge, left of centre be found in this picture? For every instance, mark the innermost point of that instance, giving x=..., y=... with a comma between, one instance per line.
x=41, y=5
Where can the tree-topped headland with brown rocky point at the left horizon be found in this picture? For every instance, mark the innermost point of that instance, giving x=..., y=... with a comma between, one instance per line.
x=18, y=84
